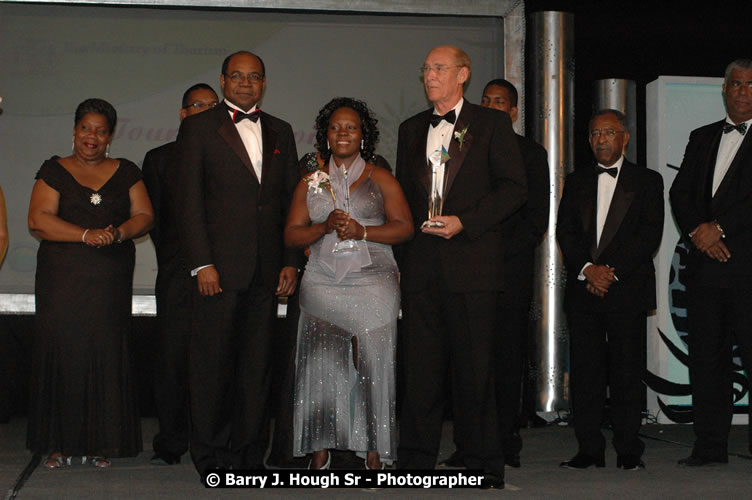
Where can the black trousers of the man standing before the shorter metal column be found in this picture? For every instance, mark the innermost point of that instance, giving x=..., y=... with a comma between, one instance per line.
x=606, y=348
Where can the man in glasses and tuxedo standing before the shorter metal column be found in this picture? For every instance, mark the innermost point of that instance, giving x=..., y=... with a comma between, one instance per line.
x=610, y=224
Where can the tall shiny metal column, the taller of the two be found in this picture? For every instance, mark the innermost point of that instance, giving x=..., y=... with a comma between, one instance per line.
x=550, y=122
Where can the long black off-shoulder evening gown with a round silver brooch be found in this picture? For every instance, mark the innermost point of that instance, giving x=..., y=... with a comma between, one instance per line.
x=82, y=392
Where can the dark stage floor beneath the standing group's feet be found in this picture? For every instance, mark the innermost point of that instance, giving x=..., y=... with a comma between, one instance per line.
x=539, y=477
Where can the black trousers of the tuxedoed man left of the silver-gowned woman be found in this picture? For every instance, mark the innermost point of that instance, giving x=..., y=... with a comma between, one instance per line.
x=230, y=376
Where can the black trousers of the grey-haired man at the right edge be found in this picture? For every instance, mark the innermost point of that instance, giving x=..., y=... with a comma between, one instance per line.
x=717, y=318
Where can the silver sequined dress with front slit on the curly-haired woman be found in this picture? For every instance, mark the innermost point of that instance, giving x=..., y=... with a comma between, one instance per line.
x=339, y=405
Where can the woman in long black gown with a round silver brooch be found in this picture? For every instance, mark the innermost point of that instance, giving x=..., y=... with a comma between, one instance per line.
x=86, y=208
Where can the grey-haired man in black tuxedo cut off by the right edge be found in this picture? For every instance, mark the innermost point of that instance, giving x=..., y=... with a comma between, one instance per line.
x=712, y=201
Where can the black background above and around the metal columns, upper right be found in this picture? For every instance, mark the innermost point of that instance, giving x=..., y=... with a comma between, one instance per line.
x=641, y=40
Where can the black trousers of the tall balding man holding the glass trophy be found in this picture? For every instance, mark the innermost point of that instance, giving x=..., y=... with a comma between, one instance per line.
x=449, y=336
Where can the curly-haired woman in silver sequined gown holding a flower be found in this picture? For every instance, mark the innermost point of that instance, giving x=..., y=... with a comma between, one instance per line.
x=349, y=300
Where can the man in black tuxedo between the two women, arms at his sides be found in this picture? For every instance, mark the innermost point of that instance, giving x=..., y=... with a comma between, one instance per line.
x=234, y=174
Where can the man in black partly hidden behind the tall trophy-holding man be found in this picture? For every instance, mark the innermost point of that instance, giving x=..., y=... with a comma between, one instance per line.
x=522, y=233
